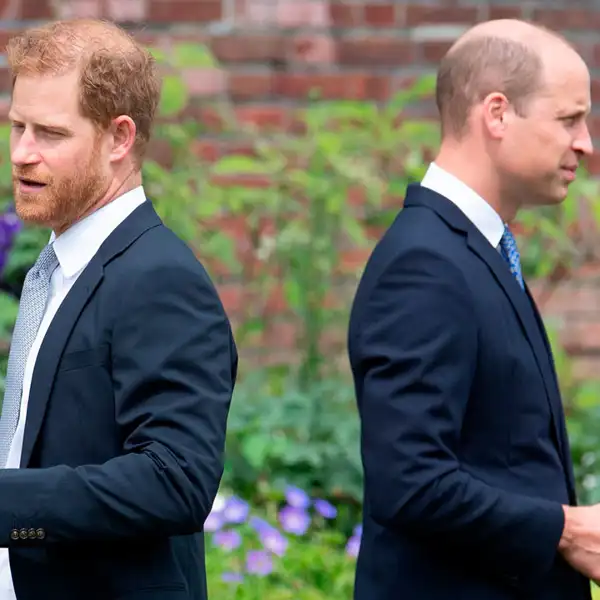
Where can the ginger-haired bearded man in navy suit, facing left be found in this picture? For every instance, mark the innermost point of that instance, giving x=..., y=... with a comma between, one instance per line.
x=122, y=362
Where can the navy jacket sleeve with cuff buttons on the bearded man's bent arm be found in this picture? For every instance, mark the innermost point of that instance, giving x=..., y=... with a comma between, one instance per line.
x=173, y=366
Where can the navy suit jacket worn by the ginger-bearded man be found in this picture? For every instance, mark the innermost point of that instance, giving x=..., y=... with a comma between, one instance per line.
x=125, y=433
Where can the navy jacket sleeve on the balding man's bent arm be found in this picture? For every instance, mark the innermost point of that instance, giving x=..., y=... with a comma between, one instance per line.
x=416, y=345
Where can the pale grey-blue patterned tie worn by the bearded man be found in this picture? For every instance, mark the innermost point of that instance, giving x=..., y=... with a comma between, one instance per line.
x=34, y=296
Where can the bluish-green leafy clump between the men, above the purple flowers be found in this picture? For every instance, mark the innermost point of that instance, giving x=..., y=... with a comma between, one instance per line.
x=279, y=433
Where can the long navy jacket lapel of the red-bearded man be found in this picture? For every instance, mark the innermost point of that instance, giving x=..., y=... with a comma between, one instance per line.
x=65, y=320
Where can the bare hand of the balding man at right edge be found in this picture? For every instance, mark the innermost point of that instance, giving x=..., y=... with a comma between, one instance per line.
x=580, y=541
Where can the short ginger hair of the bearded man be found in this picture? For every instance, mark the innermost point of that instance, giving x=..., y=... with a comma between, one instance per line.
x=117, y=76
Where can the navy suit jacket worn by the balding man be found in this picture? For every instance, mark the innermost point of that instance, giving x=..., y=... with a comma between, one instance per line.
x=464, y=446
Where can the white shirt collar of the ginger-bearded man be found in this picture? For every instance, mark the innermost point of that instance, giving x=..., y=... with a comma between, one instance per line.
x=76, y=247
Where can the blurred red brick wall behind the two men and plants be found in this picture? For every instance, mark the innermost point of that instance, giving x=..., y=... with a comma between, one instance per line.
x=275, y=51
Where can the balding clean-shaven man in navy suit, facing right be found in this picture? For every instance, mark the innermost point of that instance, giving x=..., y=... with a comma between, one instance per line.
x=469, y=487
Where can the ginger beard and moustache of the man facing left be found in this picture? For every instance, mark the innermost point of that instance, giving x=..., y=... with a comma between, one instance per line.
x=62, y=200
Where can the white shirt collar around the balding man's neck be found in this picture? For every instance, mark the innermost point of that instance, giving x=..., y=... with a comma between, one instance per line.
x=475, y=208
